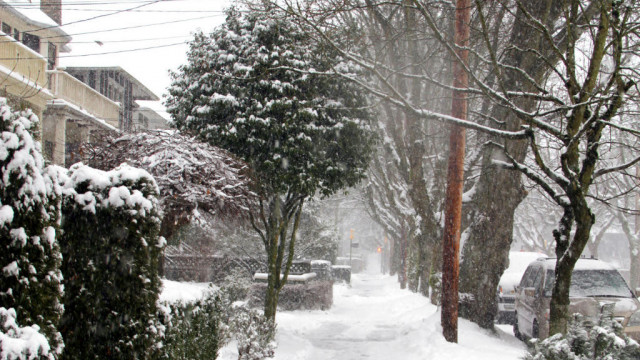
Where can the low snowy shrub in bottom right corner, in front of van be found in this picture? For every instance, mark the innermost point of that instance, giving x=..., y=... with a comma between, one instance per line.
x=586, y=340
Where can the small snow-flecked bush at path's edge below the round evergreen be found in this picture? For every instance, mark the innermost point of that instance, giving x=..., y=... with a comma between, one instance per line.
x=254, y=333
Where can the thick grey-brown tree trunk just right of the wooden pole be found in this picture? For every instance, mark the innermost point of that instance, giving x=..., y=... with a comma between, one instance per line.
x=500, y=191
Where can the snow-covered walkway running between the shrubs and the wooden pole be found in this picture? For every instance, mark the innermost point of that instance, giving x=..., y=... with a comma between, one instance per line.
x=374, y=319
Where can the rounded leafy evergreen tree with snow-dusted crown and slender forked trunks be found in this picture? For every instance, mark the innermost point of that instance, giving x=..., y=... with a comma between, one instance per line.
x=260, y=88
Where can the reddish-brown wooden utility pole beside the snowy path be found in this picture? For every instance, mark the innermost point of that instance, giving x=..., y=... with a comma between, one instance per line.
x=453, y=200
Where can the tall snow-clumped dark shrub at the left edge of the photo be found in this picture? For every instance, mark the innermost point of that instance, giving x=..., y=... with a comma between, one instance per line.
x=30, y=278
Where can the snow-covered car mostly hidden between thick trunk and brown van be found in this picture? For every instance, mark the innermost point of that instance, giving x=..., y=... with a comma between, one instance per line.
x=518, y=262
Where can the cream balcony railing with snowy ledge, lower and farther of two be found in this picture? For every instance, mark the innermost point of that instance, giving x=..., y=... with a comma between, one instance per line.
x=66, y=87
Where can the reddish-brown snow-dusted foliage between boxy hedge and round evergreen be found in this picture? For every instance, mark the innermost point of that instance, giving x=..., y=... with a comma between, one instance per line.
x=191, y=174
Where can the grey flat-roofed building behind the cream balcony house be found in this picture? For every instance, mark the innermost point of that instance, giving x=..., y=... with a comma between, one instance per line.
x=121, y=87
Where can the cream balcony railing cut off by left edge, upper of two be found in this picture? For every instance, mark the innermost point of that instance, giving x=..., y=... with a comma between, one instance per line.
x=22, y=63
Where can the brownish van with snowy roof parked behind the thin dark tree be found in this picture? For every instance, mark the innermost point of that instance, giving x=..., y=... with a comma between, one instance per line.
x=594, y=284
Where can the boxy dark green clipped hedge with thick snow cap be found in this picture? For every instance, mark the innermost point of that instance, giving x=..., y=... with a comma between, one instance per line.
x=110, y=246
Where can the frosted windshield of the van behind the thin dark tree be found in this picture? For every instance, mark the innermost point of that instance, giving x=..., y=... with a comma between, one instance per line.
x=592, y=283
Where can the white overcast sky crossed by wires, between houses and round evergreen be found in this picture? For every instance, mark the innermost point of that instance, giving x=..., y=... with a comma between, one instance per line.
x=164, y=26
